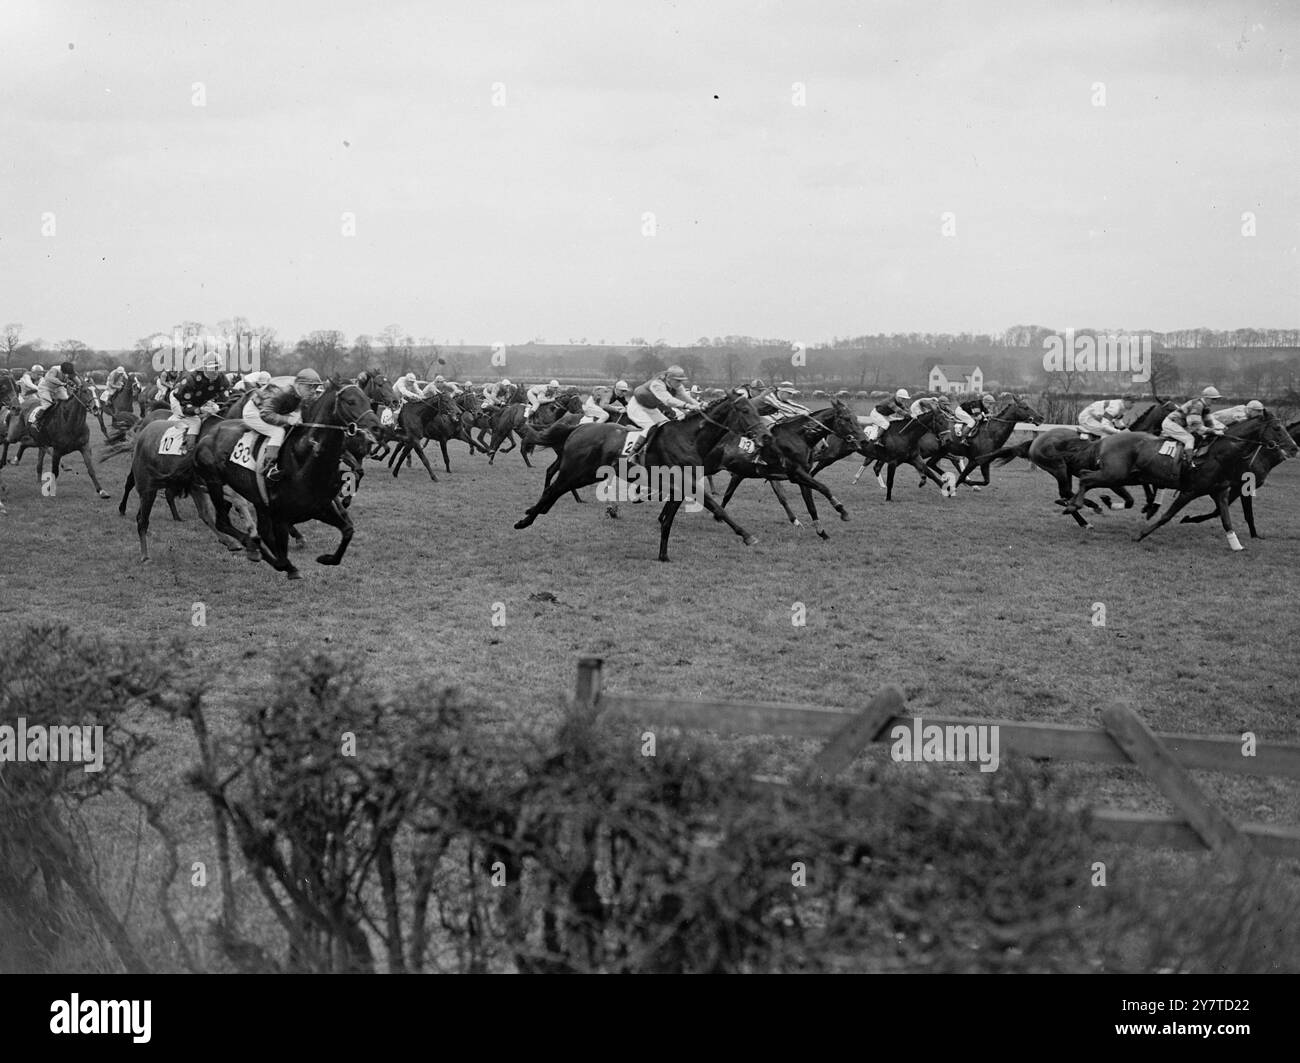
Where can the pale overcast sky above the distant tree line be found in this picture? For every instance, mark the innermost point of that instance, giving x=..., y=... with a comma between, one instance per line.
x=502, y=172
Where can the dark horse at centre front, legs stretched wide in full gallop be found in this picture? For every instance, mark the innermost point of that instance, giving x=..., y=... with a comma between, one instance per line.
x=591, y=453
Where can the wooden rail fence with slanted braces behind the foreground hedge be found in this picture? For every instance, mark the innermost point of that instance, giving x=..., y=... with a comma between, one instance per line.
x=1125, y=739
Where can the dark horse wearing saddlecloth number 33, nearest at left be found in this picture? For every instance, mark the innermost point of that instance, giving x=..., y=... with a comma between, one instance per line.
x=309, y=485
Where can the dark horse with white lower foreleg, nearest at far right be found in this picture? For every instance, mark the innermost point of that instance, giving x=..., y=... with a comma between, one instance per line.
x=1136, y=458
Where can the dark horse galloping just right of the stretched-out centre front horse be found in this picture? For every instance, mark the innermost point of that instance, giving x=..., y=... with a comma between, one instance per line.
x=788, y=457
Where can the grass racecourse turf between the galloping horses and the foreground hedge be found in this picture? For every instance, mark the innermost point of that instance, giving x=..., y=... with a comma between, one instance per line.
x=977, y=606
